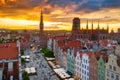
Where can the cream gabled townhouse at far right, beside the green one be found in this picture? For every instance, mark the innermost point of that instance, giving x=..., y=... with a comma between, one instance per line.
x=112, y=68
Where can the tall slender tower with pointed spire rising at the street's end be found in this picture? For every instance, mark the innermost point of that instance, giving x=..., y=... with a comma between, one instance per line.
x=42, y=36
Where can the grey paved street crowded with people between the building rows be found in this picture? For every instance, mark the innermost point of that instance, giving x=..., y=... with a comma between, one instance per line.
x=37, y=60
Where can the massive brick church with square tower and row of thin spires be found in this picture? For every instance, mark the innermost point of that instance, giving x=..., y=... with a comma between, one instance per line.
x=90, y=34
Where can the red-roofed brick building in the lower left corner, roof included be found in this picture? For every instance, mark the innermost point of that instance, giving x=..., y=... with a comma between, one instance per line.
x=9, y=66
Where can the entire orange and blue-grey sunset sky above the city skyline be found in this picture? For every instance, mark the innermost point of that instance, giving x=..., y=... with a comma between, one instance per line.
x=58, y=14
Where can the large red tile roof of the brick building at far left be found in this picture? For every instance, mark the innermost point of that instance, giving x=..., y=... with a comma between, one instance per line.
x=9, y=53
